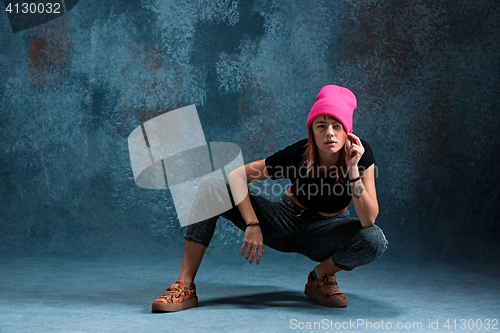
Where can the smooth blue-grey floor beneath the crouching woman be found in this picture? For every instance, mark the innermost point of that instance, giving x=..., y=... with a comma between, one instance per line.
x=115, y=295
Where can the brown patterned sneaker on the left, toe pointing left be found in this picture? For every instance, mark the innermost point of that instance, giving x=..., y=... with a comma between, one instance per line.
x=177, y=297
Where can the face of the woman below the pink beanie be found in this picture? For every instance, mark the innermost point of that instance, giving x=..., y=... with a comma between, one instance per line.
x=329, y=134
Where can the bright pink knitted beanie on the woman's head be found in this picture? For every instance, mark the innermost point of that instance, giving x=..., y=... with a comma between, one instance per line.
x=334, y=101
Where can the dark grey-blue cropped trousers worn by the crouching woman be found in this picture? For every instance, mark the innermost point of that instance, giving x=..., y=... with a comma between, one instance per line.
x=287, y=227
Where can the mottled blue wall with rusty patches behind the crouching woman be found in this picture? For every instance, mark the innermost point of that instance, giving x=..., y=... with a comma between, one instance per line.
x=426, y=74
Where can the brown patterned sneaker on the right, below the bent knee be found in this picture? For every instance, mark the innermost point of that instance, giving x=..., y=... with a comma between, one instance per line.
x=325, y=290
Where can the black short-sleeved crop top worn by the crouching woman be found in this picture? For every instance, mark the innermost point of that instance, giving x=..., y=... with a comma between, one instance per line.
x=318, y=194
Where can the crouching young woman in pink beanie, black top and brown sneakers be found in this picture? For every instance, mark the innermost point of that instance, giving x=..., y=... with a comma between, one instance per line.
x=327, y=170
